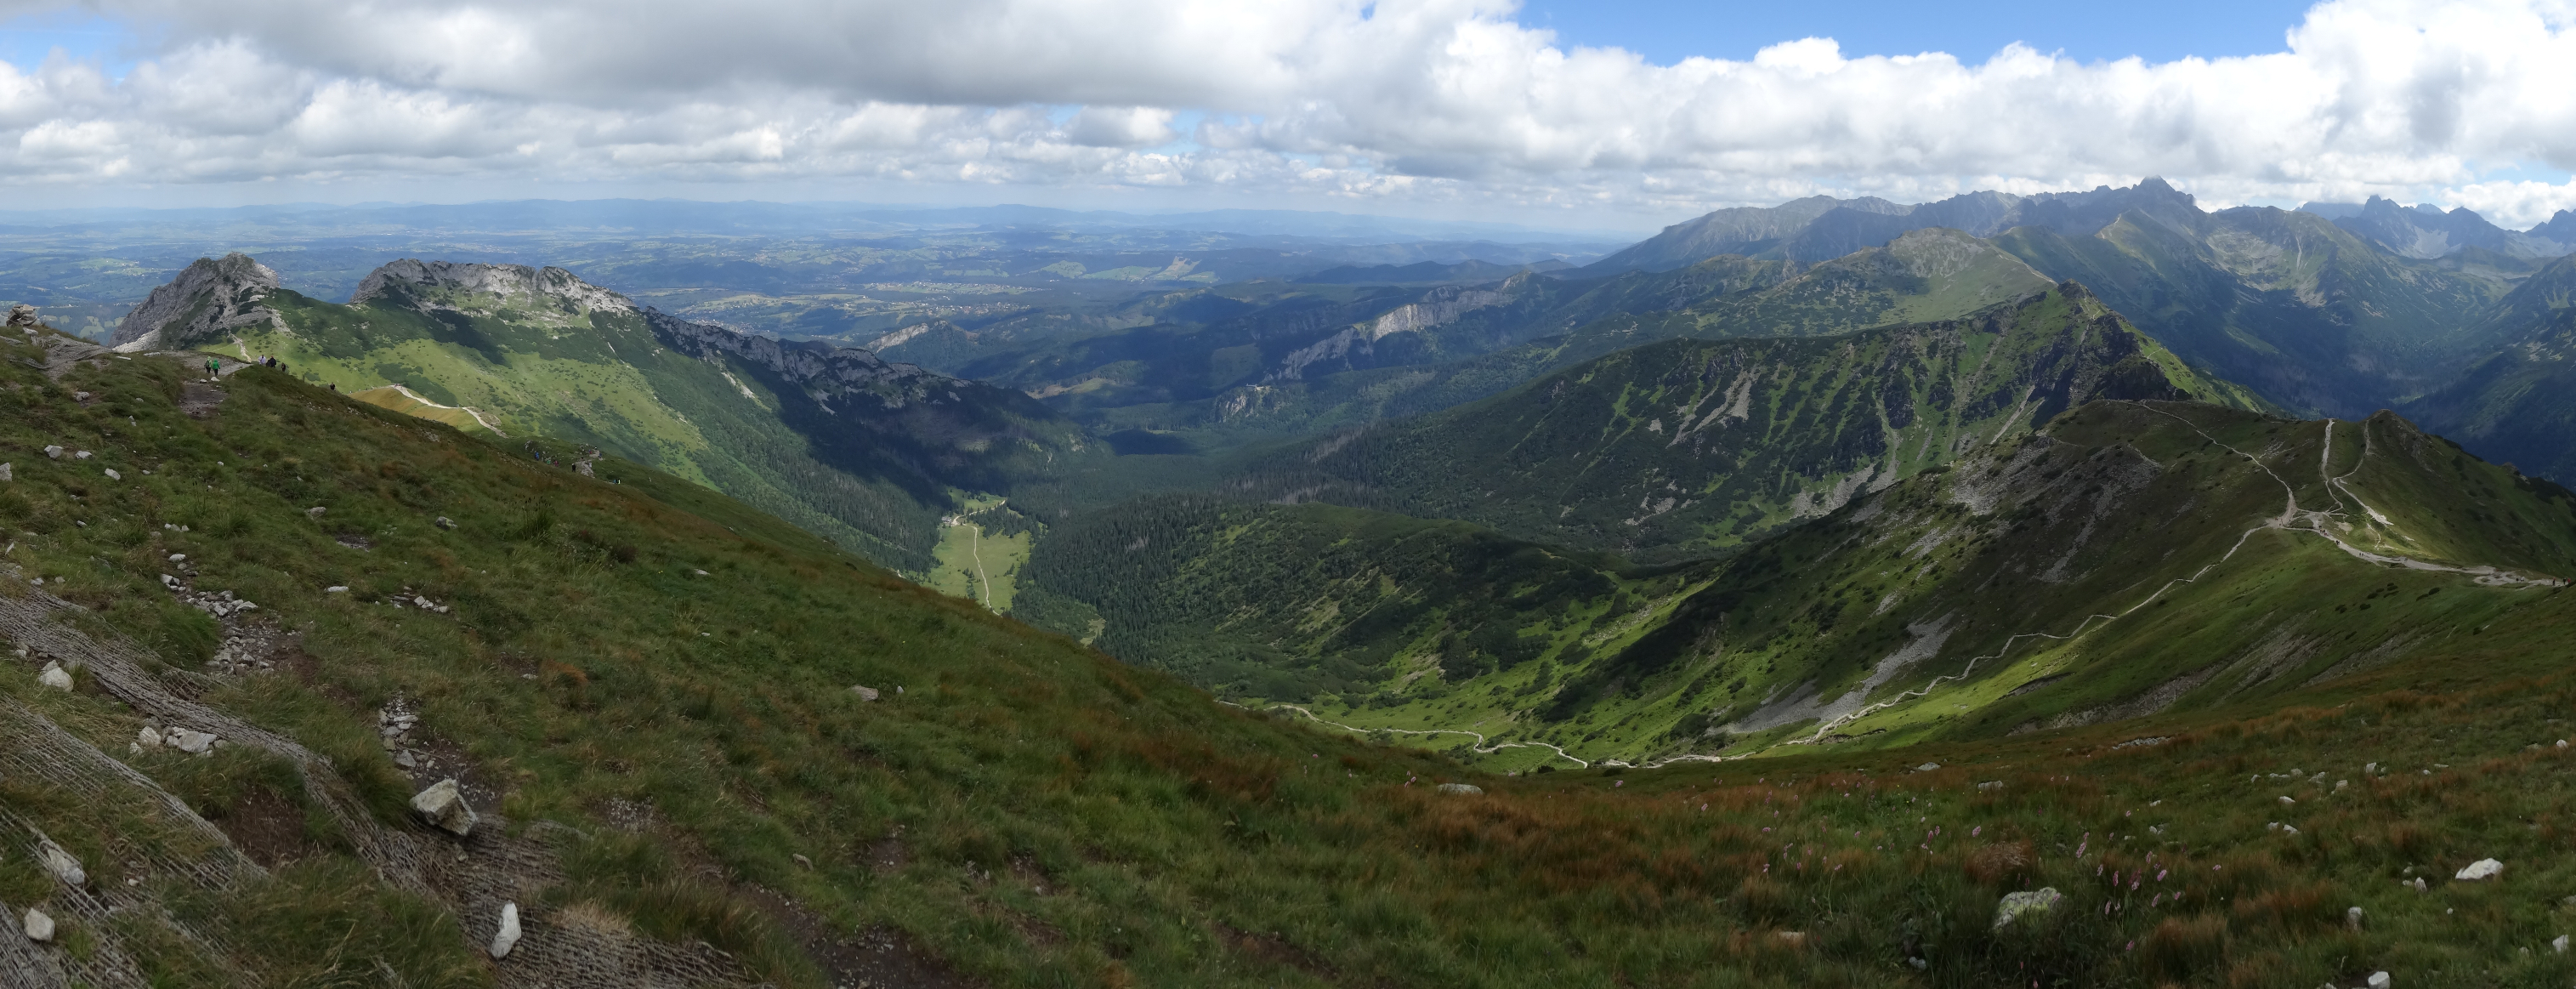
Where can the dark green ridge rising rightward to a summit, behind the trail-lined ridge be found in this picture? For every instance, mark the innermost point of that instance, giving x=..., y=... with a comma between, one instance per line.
x=1691, y=447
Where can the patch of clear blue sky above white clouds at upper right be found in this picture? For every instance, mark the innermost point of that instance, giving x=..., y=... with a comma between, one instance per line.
x=2096, y=32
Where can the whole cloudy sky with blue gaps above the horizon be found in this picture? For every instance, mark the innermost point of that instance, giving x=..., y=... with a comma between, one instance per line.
x=1547, y=112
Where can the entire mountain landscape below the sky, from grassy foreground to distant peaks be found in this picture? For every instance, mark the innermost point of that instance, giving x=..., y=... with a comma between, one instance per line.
x=1377, y=622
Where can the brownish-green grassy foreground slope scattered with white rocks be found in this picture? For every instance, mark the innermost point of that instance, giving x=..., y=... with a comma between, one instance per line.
x=1032, y=813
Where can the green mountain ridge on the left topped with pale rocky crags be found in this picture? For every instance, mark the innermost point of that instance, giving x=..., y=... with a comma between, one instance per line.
x=831, y=439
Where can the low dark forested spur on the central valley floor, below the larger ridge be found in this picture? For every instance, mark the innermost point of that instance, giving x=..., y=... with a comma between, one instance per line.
x=1300, y=601
